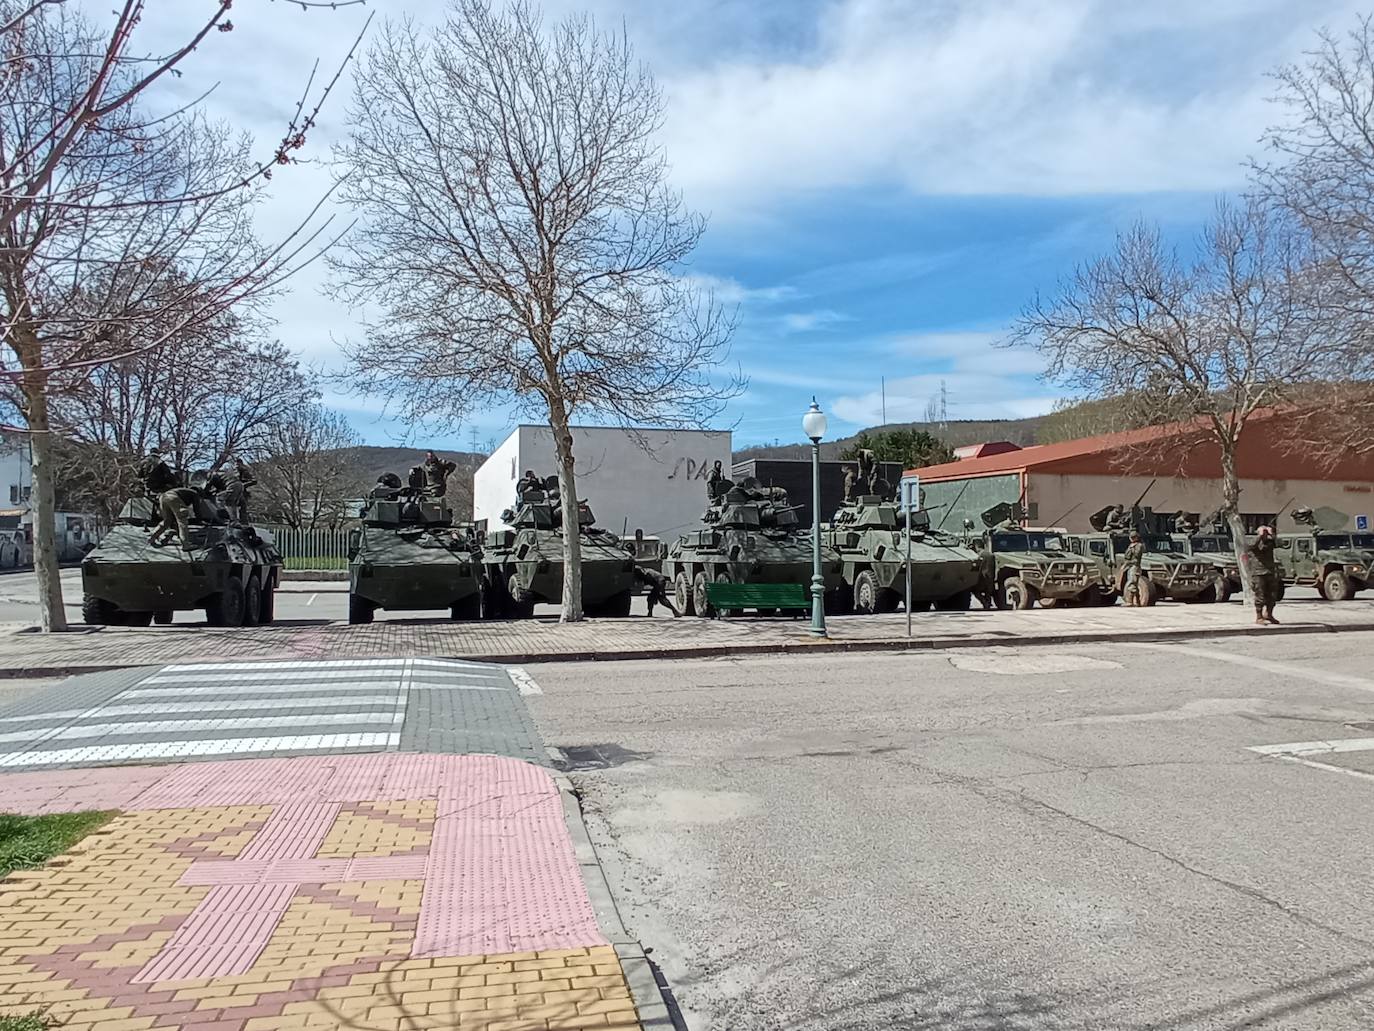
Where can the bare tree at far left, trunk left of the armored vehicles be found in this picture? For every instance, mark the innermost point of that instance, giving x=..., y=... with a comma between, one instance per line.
x=122, y=228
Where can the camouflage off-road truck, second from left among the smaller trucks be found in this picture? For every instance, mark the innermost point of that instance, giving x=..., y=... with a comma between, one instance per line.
x=1167, y=571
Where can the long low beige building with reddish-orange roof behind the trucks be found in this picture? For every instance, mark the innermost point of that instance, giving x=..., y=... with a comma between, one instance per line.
x=1064, y=485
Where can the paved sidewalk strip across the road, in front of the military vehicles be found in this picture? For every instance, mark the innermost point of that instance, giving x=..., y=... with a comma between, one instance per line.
x=634, y=639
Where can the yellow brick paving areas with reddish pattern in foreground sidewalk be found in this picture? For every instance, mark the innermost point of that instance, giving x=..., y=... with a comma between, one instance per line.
x=75, y=934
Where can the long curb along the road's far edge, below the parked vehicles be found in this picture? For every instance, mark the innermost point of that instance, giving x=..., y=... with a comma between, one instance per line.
x=789, y=648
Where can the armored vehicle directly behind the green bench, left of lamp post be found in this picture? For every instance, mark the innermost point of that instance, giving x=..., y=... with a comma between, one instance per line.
x=751, y=535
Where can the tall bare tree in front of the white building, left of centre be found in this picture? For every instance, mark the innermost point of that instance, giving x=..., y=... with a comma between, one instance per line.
x=521, y=240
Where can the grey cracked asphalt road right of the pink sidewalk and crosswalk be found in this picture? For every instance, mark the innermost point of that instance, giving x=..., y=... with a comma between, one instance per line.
x=991, y=839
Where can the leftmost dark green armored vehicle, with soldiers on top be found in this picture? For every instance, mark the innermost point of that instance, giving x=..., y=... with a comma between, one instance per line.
x=232, y=571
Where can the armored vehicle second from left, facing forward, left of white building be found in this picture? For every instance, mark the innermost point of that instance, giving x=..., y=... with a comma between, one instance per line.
x=407, y=555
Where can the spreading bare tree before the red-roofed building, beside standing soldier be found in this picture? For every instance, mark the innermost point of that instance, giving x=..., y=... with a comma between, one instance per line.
x=1208, y=343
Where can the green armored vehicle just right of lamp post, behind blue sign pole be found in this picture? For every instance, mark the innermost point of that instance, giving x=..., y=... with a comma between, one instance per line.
x=870, y=538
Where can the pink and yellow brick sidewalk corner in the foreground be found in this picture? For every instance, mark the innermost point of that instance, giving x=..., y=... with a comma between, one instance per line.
x=385, y=893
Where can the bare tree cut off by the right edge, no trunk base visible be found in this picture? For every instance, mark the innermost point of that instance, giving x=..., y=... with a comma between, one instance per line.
x=1321, y=171
